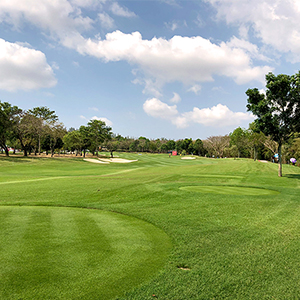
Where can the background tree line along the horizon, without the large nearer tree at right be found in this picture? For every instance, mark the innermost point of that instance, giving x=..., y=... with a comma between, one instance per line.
x=39, y=130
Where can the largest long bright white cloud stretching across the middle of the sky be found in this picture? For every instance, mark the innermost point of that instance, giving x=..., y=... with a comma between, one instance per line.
x=185, y=59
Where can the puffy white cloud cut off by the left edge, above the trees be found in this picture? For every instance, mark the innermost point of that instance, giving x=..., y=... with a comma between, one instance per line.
x=22, y=68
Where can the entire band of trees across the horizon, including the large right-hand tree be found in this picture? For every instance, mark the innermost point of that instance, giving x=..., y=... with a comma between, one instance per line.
x=275, y=130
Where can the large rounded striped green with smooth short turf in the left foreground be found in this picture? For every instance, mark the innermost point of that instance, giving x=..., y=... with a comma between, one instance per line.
x=73, y=253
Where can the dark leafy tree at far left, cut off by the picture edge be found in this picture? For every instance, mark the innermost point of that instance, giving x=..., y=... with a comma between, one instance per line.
x=8, y=121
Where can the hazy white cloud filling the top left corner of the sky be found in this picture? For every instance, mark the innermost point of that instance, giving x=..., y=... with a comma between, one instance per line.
x=62, y=20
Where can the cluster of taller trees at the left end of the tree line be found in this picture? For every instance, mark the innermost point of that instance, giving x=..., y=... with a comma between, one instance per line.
x=38, y=129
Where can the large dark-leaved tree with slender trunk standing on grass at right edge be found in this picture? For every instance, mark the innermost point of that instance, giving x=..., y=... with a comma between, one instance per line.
x=277, y=111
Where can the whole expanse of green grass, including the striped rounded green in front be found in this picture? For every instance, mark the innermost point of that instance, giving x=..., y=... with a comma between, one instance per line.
x=192, y=229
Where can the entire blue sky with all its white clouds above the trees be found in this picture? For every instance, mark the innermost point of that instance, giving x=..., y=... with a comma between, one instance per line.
x=154, y=68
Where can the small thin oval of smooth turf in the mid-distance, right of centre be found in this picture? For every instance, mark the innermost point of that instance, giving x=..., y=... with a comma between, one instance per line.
x=229, y=190
